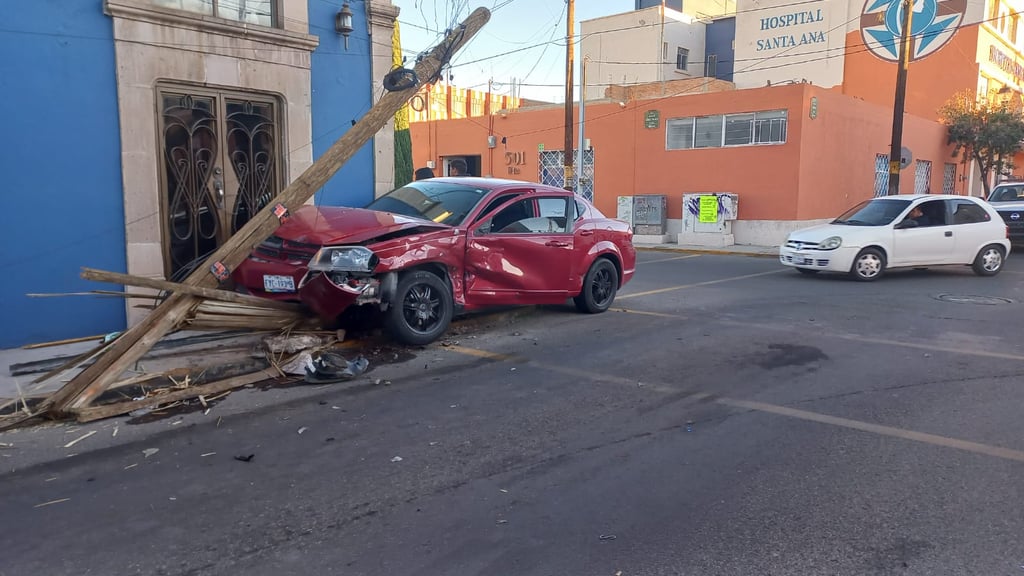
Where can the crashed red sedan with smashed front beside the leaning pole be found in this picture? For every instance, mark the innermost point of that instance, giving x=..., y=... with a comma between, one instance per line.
x=437, y=248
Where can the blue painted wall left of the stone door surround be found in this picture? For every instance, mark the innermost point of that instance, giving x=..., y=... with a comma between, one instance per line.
x=61, y=159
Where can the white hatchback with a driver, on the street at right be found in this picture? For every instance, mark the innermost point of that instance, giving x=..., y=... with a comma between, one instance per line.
x=905, y=231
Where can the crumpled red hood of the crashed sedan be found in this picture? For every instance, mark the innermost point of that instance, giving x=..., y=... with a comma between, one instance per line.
x=333, y=225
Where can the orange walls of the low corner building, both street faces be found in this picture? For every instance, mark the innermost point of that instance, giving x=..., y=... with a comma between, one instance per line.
x=827, y=164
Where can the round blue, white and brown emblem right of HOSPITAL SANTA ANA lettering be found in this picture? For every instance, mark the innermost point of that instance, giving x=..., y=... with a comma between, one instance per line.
x=934, y=25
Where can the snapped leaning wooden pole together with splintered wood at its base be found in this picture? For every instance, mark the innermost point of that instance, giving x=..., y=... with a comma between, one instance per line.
x=198, y=302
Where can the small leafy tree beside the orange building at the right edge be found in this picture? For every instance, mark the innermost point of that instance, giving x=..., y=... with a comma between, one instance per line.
x=989, y=133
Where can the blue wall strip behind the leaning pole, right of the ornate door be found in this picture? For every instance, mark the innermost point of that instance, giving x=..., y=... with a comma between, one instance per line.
x=343, y=92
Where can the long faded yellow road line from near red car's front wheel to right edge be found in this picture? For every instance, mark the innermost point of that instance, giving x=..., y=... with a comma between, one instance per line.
x=904, y=434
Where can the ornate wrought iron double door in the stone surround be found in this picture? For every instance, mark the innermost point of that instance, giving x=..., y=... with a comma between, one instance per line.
x=222, y=164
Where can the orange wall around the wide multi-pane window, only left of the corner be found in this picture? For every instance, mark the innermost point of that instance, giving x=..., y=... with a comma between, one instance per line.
x=631, y=159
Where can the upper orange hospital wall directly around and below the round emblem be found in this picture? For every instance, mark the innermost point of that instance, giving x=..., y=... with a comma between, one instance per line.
x=931, y=81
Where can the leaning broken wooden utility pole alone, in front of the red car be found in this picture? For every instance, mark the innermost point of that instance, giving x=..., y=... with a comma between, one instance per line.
x=133, y=345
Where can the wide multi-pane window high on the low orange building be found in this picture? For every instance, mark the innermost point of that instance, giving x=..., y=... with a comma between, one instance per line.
x=732, y=130
